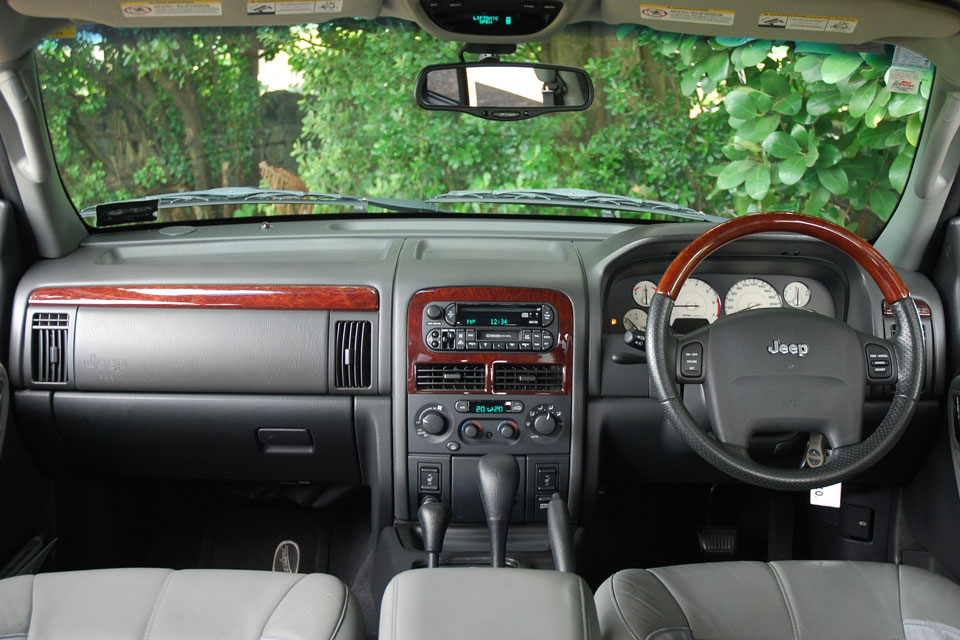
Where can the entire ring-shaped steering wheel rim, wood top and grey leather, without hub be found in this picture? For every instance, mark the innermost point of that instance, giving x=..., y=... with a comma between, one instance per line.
x=735, y=461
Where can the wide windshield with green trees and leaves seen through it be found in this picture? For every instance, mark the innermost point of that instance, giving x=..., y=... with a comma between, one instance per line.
x=723, y=126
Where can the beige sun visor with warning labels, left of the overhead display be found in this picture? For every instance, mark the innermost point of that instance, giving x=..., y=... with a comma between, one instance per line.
x=198, y=13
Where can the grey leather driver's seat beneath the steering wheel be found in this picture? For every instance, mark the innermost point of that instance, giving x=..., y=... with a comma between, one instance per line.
x=795, y=600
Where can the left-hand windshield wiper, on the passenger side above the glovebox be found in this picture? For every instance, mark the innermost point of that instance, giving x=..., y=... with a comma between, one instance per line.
x=251, y=195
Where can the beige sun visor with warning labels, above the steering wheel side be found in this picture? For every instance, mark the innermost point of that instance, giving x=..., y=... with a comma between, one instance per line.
x=819, y=21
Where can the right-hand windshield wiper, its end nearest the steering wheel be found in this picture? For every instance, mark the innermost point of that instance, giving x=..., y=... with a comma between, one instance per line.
x=576, y=198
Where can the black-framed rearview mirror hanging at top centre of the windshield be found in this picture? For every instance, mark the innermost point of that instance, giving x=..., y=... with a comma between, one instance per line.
x=504, y=90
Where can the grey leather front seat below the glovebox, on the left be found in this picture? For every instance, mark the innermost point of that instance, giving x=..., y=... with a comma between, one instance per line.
x=160, y=604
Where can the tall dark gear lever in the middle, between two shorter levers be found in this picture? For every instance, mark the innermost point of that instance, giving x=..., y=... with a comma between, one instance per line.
x=499, y=479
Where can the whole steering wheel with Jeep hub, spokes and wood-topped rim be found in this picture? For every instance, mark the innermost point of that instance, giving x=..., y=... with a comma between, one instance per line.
x=775, y=370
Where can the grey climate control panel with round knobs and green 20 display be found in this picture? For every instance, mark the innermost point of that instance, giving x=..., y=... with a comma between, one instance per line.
x=483, y=424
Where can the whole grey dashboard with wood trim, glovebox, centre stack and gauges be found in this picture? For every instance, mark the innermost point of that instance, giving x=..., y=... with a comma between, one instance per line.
x=393, y=352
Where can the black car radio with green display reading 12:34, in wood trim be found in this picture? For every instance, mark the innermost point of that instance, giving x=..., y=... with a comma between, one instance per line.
x=489, y=326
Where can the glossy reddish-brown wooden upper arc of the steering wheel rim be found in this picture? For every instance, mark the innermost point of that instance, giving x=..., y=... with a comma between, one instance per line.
x=886, y=277
